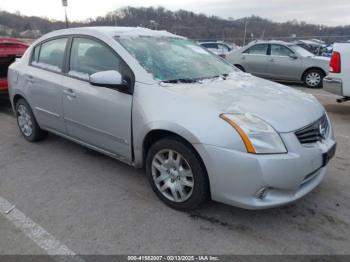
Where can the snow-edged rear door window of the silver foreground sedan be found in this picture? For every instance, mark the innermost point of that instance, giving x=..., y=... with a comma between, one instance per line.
x=51, y=55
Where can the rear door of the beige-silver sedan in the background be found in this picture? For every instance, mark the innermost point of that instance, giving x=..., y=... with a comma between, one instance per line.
x=255, y=60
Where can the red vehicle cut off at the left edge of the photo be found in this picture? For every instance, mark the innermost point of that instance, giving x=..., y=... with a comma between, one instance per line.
x=10, y=49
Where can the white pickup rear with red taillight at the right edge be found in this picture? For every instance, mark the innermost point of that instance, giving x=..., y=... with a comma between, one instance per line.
x=338, y=80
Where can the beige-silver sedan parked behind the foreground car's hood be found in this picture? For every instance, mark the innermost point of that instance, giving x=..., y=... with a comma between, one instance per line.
x=283, y=61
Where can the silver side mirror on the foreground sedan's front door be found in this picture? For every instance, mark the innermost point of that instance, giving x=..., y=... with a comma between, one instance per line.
x=110, y=79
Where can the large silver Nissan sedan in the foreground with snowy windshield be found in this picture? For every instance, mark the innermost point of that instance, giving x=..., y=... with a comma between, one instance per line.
x=200, y=127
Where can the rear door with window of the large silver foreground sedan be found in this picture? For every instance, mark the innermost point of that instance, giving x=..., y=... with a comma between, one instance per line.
x=44, y=83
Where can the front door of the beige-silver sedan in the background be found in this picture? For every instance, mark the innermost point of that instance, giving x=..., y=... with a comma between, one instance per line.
x=283, y=63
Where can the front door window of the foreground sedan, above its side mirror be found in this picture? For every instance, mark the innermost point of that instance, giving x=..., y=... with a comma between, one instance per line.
x=89, y=56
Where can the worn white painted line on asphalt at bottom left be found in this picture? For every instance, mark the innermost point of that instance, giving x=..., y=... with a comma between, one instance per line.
x=39, y=235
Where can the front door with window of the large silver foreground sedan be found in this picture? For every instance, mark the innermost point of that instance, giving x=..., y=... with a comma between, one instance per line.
x=98, y=116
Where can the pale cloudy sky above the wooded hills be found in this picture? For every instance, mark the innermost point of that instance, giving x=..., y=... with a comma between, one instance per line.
x=325, y=12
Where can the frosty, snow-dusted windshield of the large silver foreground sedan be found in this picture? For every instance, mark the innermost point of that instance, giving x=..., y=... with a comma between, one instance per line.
x=175, y=59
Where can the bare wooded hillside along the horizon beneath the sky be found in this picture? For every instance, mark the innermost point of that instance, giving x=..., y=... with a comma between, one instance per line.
x=195, y=26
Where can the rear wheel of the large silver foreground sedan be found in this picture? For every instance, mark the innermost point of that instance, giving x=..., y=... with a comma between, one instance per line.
x=27, y=123
